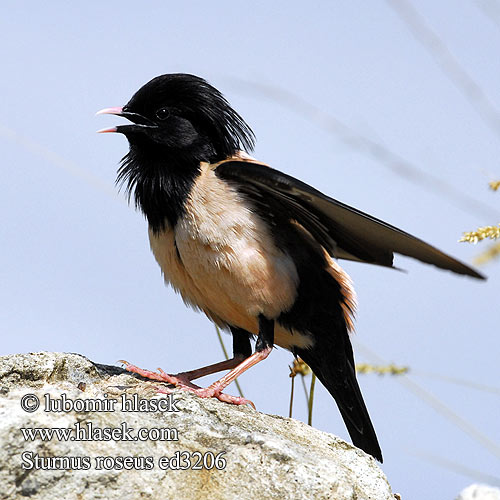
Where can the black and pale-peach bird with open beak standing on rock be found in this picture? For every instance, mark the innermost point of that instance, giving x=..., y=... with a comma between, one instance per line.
x=250, y=246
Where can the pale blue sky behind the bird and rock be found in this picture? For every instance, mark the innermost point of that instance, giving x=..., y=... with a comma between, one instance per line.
x=77, y=273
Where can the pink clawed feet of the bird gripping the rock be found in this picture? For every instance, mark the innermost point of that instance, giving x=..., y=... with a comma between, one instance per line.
x=182, y=381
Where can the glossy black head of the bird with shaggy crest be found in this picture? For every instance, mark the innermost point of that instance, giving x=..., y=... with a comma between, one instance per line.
x=184, y=115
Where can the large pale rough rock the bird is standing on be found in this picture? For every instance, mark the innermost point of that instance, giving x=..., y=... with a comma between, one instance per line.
x=221, y=451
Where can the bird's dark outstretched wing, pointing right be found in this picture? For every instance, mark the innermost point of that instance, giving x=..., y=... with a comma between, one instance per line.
x=345, y=232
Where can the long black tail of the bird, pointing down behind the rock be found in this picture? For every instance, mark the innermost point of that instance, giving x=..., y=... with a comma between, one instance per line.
x=336, y=372
